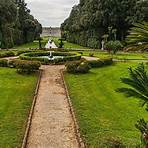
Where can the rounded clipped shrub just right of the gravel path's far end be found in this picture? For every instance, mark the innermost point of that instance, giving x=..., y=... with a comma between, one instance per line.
x=78, y=67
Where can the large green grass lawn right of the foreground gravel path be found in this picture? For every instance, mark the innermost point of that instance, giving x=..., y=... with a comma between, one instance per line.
x=103, y=113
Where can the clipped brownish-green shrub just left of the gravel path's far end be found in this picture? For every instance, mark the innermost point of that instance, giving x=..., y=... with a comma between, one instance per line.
x=26, y=67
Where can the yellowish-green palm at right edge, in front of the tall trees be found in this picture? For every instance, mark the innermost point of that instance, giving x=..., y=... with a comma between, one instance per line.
x=138, y=37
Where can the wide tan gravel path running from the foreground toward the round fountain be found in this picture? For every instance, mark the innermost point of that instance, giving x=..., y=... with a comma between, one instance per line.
x=52, y=125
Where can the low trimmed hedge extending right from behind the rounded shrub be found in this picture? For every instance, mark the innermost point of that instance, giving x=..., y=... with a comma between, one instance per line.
x=100, y=62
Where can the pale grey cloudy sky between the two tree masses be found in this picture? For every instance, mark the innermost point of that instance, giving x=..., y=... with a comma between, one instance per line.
x=51, y=12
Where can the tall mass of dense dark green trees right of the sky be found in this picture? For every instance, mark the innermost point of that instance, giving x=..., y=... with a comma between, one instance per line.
x=90, y=20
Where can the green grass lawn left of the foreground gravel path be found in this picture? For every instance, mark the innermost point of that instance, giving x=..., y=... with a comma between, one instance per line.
x=16, y=94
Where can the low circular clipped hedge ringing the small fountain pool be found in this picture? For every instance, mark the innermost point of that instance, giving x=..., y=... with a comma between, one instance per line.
x=35, y=56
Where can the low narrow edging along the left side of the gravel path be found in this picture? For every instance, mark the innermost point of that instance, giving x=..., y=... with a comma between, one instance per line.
x=24, y=143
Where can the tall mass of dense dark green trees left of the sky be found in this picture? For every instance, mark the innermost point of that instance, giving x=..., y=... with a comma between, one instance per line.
x=17, y=26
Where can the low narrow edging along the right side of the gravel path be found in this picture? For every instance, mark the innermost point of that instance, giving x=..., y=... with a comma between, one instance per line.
x=76, y=126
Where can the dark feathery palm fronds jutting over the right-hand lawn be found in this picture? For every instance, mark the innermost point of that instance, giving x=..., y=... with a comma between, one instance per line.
x=138, y=82
